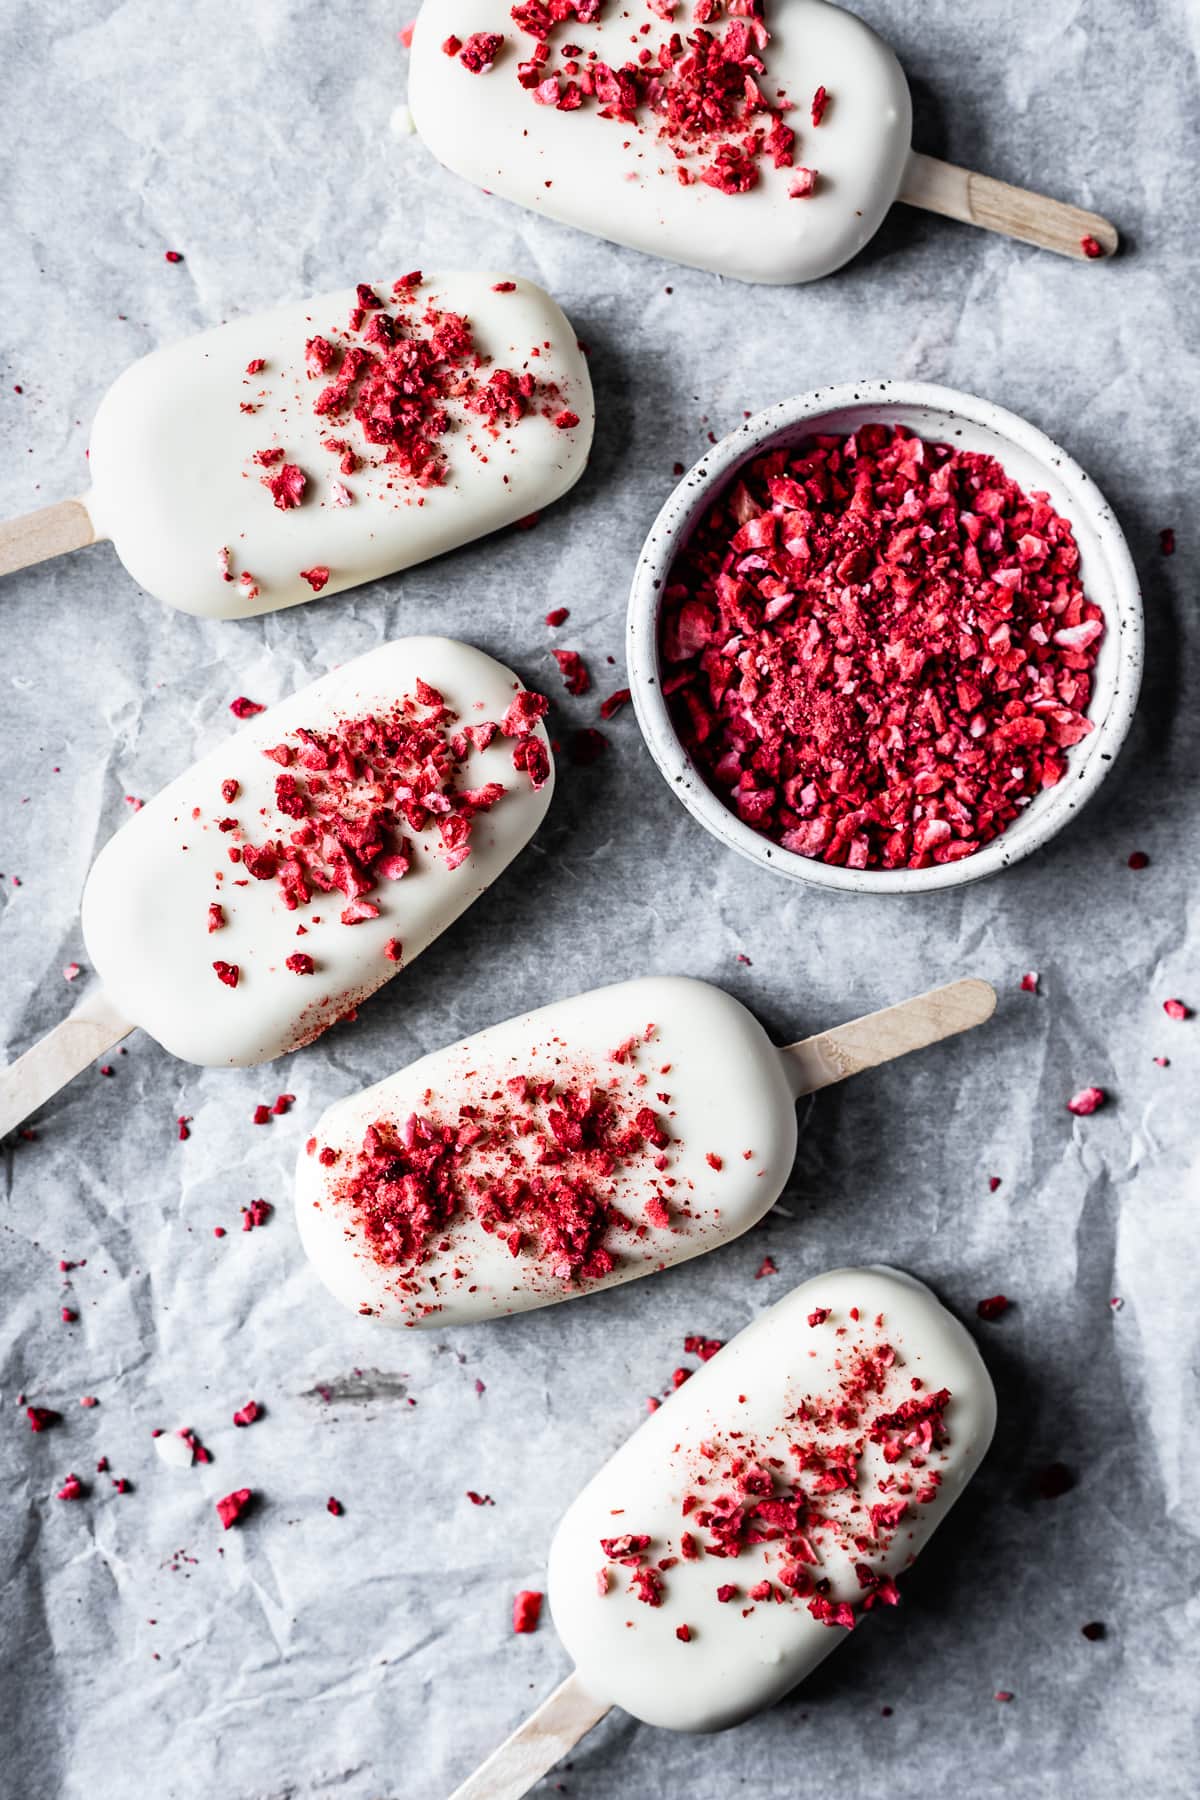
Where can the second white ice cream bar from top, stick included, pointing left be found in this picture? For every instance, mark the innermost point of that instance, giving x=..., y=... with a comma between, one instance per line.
x=328, y=444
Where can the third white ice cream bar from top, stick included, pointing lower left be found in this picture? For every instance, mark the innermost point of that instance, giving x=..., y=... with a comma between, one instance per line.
x=307, y=859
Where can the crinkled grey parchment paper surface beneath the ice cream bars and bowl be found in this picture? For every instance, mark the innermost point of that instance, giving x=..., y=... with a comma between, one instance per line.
x=372, y=1655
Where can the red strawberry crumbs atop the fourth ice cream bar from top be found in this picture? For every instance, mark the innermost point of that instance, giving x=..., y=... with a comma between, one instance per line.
x=533, y=1162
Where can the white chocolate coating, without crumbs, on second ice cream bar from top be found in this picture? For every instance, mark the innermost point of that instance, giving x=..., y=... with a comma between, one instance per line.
x=175, y=483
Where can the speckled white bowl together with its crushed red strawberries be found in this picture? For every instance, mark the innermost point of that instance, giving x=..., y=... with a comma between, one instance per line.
x=886, y=638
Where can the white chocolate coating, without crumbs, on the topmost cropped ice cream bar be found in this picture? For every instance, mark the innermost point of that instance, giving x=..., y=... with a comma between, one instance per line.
x=618, y=181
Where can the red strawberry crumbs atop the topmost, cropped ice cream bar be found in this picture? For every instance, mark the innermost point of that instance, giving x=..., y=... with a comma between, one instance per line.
x=706, y=96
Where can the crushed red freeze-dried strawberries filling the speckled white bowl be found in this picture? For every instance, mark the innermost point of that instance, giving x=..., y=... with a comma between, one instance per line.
x=879, y=651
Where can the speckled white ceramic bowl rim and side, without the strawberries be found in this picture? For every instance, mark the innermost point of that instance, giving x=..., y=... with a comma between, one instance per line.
x=1030, y=458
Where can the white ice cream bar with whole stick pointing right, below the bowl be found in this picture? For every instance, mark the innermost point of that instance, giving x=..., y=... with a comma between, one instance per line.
x=575, y=1147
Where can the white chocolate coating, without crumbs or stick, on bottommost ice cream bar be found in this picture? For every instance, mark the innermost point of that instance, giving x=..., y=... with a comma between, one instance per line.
x=737, y=1664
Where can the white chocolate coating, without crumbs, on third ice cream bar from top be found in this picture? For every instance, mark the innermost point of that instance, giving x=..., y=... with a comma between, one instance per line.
x=148, y=895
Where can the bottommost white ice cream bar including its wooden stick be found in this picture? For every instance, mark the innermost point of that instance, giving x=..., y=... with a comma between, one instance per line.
x=760, y=1515
